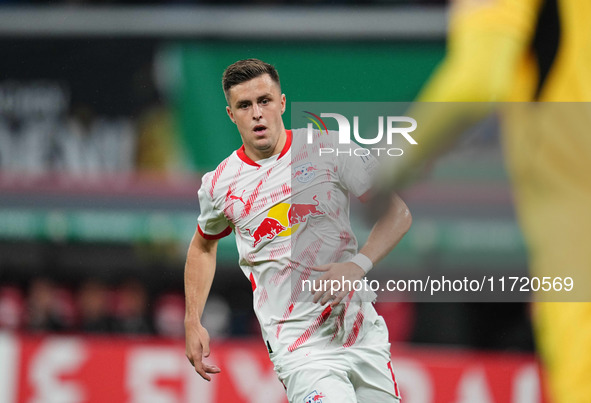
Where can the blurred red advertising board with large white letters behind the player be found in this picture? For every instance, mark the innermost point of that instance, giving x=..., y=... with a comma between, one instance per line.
x=79, y=369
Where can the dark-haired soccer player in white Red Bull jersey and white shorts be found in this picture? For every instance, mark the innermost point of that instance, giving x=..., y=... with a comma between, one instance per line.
x=289, y=210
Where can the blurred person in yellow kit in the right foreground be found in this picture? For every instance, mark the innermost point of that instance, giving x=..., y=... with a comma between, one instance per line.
x=527, y=50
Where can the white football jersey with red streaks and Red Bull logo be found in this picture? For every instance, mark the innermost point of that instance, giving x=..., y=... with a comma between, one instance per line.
x=290, y=212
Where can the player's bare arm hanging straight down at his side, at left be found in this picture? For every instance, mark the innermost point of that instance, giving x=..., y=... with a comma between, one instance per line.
x=199, y=273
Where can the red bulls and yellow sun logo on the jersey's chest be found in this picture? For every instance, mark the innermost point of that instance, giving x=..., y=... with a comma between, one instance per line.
x=284, y=219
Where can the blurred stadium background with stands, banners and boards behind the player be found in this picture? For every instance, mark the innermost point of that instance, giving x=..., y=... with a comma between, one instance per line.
x=111, y=111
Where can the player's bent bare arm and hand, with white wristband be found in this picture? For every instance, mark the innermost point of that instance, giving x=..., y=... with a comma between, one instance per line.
x=384, y=236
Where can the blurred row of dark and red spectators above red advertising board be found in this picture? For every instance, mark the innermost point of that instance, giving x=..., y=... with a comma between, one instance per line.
x=128, y=308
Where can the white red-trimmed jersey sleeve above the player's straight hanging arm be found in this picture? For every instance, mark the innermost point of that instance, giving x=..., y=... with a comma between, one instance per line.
x=212, y=222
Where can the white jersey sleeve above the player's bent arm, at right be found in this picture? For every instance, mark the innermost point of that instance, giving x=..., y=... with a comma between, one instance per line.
x=356, y=172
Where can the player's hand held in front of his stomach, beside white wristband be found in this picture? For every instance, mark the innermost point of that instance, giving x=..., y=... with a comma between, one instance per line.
x=331, y=284
